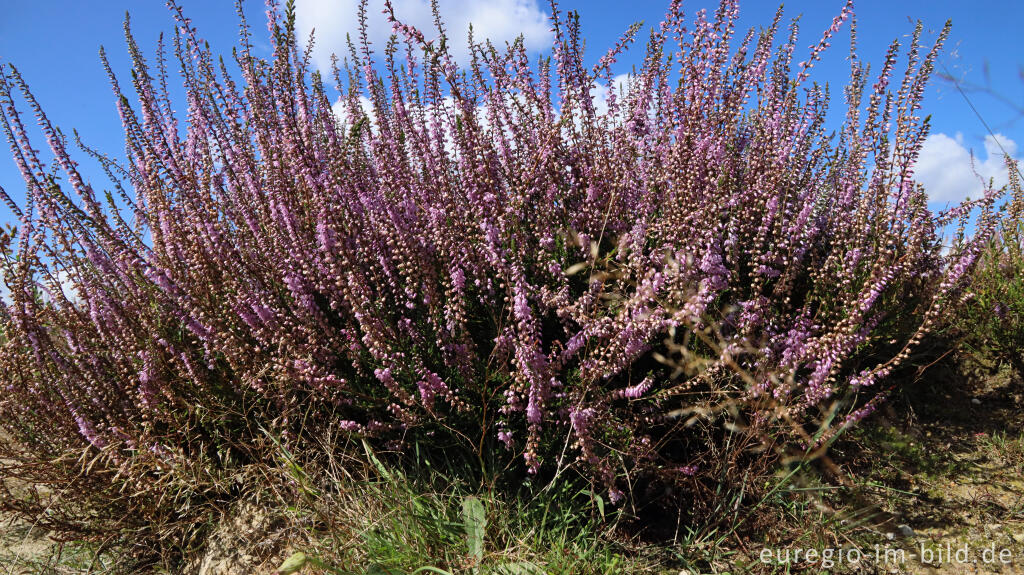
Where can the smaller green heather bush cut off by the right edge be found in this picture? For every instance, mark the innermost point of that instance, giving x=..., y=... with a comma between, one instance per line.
x=992, y=322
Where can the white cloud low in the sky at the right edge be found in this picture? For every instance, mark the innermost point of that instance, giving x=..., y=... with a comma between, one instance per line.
x=945, y=167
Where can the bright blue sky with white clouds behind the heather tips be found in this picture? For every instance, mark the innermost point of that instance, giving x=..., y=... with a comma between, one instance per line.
x=55, y=45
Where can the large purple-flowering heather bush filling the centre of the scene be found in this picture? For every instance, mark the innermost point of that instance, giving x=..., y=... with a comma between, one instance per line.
x=473, y=256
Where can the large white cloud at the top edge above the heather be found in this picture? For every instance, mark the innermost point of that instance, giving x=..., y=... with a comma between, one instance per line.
x=499, y=21
